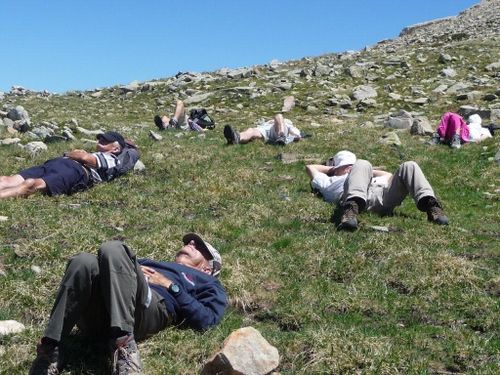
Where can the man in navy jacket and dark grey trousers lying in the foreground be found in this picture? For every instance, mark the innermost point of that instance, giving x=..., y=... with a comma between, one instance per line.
x=142, y=299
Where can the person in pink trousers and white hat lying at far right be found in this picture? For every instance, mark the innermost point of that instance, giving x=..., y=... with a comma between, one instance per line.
x=454, y=131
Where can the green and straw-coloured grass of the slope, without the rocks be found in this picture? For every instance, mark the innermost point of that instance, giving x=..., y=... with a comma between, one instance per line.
x=421, y=299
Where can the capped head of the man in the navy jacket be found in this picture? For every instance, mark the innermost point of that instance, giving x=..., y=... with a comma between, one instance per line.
x=199, y=254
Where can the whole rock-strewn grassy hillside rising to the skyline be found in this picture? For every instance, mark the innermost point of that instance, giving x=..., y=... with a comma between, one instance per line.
x=399, y=296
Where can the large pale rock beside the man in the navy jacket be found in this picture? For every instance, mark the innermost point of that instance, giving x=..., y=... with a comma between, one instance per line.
x=245, y=352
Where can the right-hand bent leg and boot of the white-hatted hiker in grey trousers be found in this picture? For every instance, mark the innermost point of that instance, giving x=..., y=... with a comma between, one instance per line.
x=410, y=180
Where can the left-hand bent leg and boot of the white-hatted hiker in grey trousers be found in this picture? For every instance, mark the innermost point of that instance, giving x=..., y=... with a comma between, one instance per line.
x=355, y=195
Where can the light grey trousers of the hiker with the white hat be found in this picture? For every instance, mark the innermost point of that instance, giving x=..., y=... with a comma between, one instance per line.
x=407, y=180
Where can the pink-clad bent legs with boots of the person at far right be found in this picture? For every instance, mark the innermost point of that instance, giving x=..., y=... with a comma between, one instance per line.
x=452, y=130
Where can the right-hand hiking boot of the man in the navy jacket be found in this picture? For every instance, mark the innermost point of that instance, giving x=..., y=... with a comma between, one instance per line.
x=126, y=358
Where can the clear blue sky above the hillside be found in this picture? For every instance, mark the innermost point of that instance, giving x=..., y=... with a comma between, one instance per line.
x=65, y=45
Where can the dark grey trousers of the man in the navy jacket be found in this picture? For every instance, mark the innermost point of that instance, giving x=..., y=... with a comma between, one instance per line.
x=106, y=291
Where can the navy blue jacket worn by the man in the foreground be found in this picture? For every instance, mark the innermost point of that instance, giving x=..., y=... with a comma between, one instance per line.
x=202, y=299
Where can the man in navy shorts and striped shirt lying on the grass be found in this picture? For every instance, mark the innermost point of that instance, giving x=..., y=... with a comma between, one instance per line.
x=77, y=170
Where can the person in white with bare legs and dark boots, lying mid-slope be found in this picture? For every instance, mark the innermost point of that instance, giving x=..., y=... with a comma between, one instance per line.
x=278, y=131
